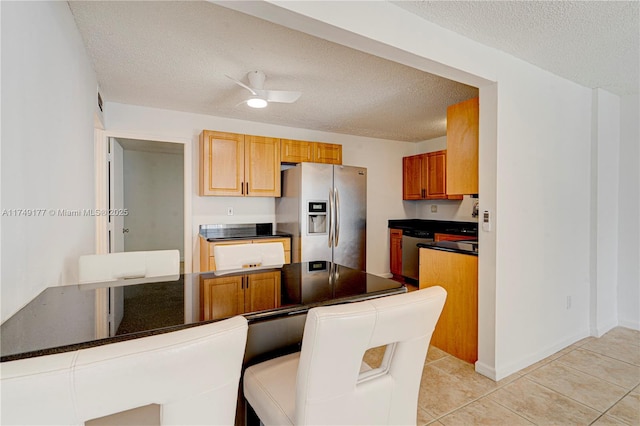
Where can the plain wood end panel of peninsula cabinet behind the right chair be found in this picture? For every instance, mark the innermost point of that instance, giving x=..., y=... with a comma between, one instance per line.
x=457, y=329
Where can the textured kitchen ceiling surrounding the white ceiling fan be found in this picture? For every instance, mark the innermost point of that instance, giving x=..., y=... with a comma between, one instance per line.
x=175, y=55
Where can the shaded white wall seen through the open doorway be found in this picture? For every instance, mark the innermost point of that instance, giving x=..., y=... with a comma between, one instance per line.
x=153, y=196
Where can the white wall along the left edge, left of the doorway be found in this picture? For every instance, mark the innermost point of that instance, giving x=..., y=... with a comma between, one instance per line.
x=48, y=94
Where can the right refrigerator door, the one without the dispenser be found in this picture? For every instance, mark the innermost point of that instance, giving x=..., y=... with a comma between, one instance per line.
x=350, y=186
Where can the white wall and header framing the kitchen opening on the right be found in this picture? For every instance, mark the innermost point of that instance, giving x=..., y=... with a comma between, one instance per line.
x=540, y=195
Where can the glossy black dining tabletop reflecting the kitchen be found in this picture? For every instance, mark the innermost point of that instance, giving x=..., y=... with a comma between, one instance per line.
x=64, y=318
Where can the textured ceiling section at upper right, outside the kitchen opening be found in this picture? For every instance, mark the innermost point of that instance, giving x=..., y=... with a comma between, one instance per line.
x=594, y=43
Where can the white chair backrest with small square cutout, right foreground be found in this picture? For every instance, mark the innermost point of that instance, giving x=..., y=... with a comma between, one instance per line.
x=331, y=389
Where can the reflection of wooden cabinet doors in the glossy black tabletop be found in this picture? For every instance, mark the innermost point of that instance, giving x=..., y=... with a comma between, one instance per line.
x=224, y=297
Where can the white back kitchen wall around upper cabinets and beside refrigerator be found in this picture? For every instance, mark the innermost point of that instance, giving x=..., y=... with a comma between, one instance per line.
x=382, y=158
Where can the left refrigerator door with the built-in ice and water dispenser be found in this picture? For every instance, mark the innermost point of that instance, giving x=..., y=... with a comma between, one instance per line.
x=316, y=184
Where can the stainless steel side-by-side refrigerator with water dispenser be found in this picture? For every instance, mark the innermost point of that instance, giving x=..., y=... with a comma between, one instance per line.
x=324, y=207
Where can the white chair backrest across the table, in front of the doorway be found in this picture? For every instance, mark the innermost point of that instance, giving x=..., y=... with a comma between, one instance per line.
x=131, y=264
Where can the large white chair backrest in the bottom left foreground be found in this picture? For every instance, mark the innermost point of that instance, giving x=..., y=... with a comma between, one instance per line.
x=193, y=374
